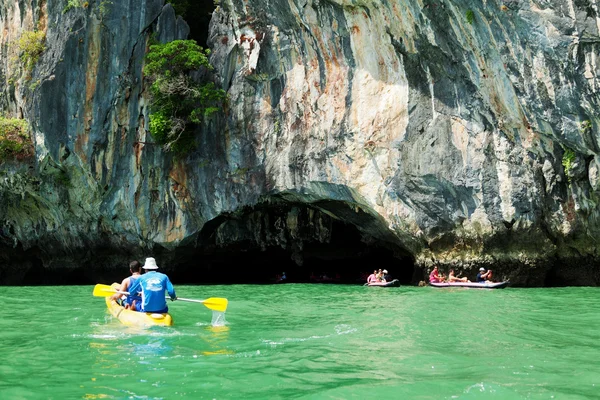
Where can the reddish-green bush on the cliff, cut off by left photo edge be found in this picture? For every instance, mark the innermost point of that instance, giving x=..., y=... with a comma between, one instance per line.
x=15, y=142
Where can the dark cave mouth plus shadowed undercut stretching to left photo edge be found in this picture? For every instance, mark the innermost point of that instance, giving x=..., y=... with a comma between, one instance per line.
x=323, y=242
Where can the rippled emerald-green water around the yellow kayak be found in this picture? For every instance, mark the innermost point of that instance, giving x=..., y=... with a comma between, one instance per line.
x=308, y=342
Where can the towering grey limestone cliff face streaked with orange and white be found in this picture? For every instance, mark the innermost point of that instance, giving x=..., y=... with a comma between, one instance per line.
x=463, y=132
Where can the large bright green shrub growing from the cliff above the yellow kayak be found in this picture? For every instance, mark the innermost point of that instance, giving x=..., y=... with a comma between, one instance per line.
x=179, y=103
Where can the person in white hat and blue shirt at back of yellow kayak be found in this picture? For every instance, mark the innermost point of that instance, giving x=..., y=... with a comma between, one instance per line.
x=153, y=285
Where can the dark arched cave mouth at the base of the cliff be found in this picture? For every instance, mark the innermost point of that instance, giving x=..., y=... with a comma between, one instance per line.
x=310, y=243
